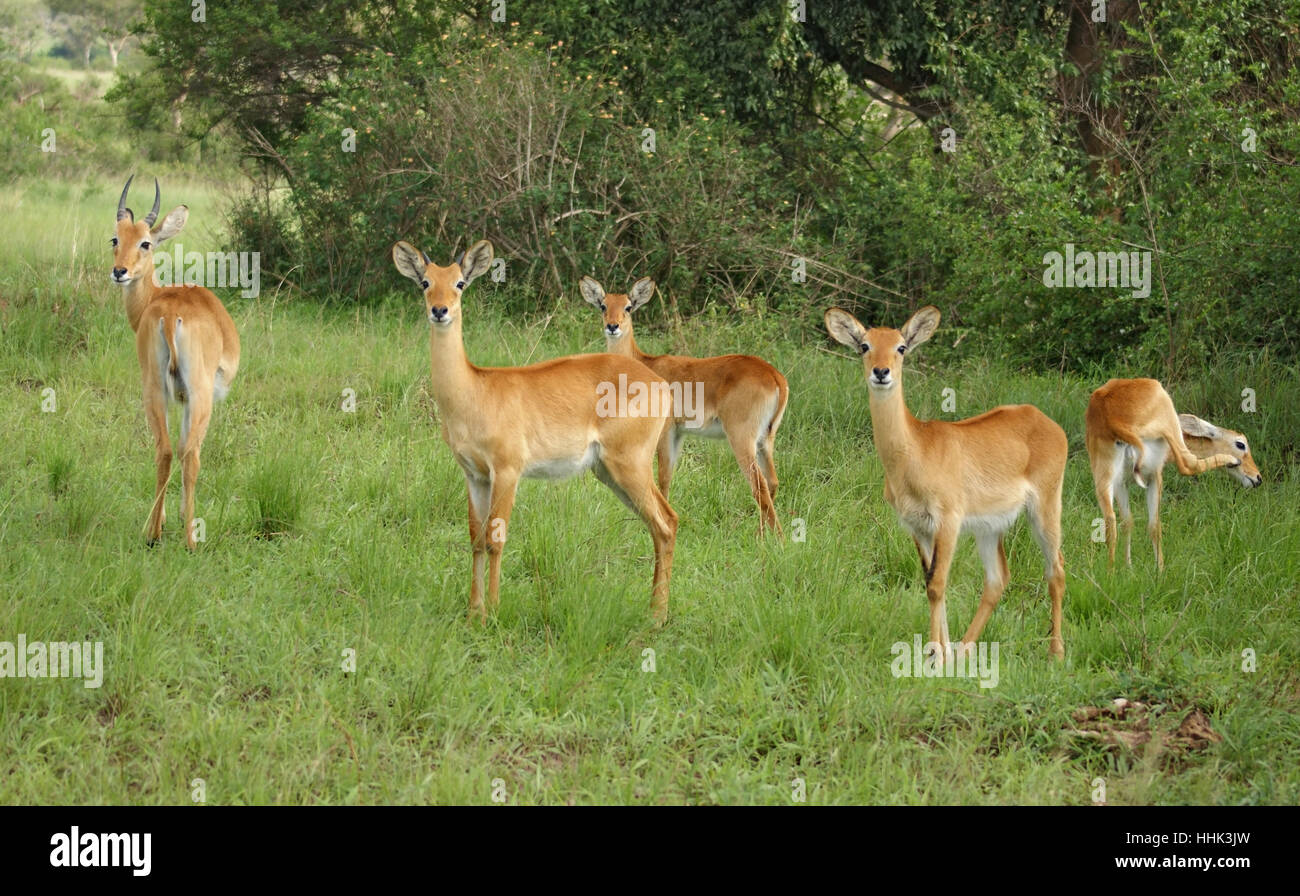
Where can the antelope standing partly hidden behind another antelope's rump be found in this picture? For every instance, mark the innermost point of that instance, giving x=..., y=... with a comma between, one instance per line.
x=740, y=399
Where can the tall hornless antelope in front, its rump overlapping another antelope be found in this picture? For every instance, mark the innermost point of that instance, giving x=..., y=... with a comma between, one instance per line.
x=541, y=422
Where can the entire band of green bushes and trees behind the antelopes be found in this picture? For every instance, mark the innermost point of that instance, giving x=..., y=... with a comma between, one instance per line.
x=779, y=144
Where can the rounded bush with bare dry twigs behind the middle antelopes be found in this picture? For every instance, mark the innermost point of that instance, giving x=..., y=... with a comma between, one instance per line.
x=499, y=142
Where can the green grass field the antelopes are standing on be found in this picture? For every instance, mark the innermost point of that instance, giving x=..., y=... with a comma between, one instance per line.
x=332, y=531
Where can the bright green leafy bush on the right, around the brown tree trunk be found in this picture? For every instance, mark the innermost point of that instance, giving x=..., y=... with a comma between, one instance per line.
x=970, y=230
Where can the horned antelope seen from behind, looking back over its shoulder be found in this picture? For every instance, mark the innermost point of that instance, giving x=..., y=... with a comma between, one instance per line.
x=187, y=344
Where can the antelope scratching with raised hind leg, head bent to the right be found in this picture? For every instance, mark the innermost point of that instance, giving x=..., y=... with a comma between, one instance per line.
x=1133, y=432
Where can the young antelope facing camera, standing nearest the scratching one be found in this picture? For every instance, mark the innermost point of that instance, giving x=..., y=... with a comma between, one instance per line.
x=973, y=475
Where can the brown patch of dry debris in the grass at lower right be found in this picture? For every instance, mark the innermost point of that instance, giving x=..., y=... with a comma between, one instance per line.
x=1168, y=733
